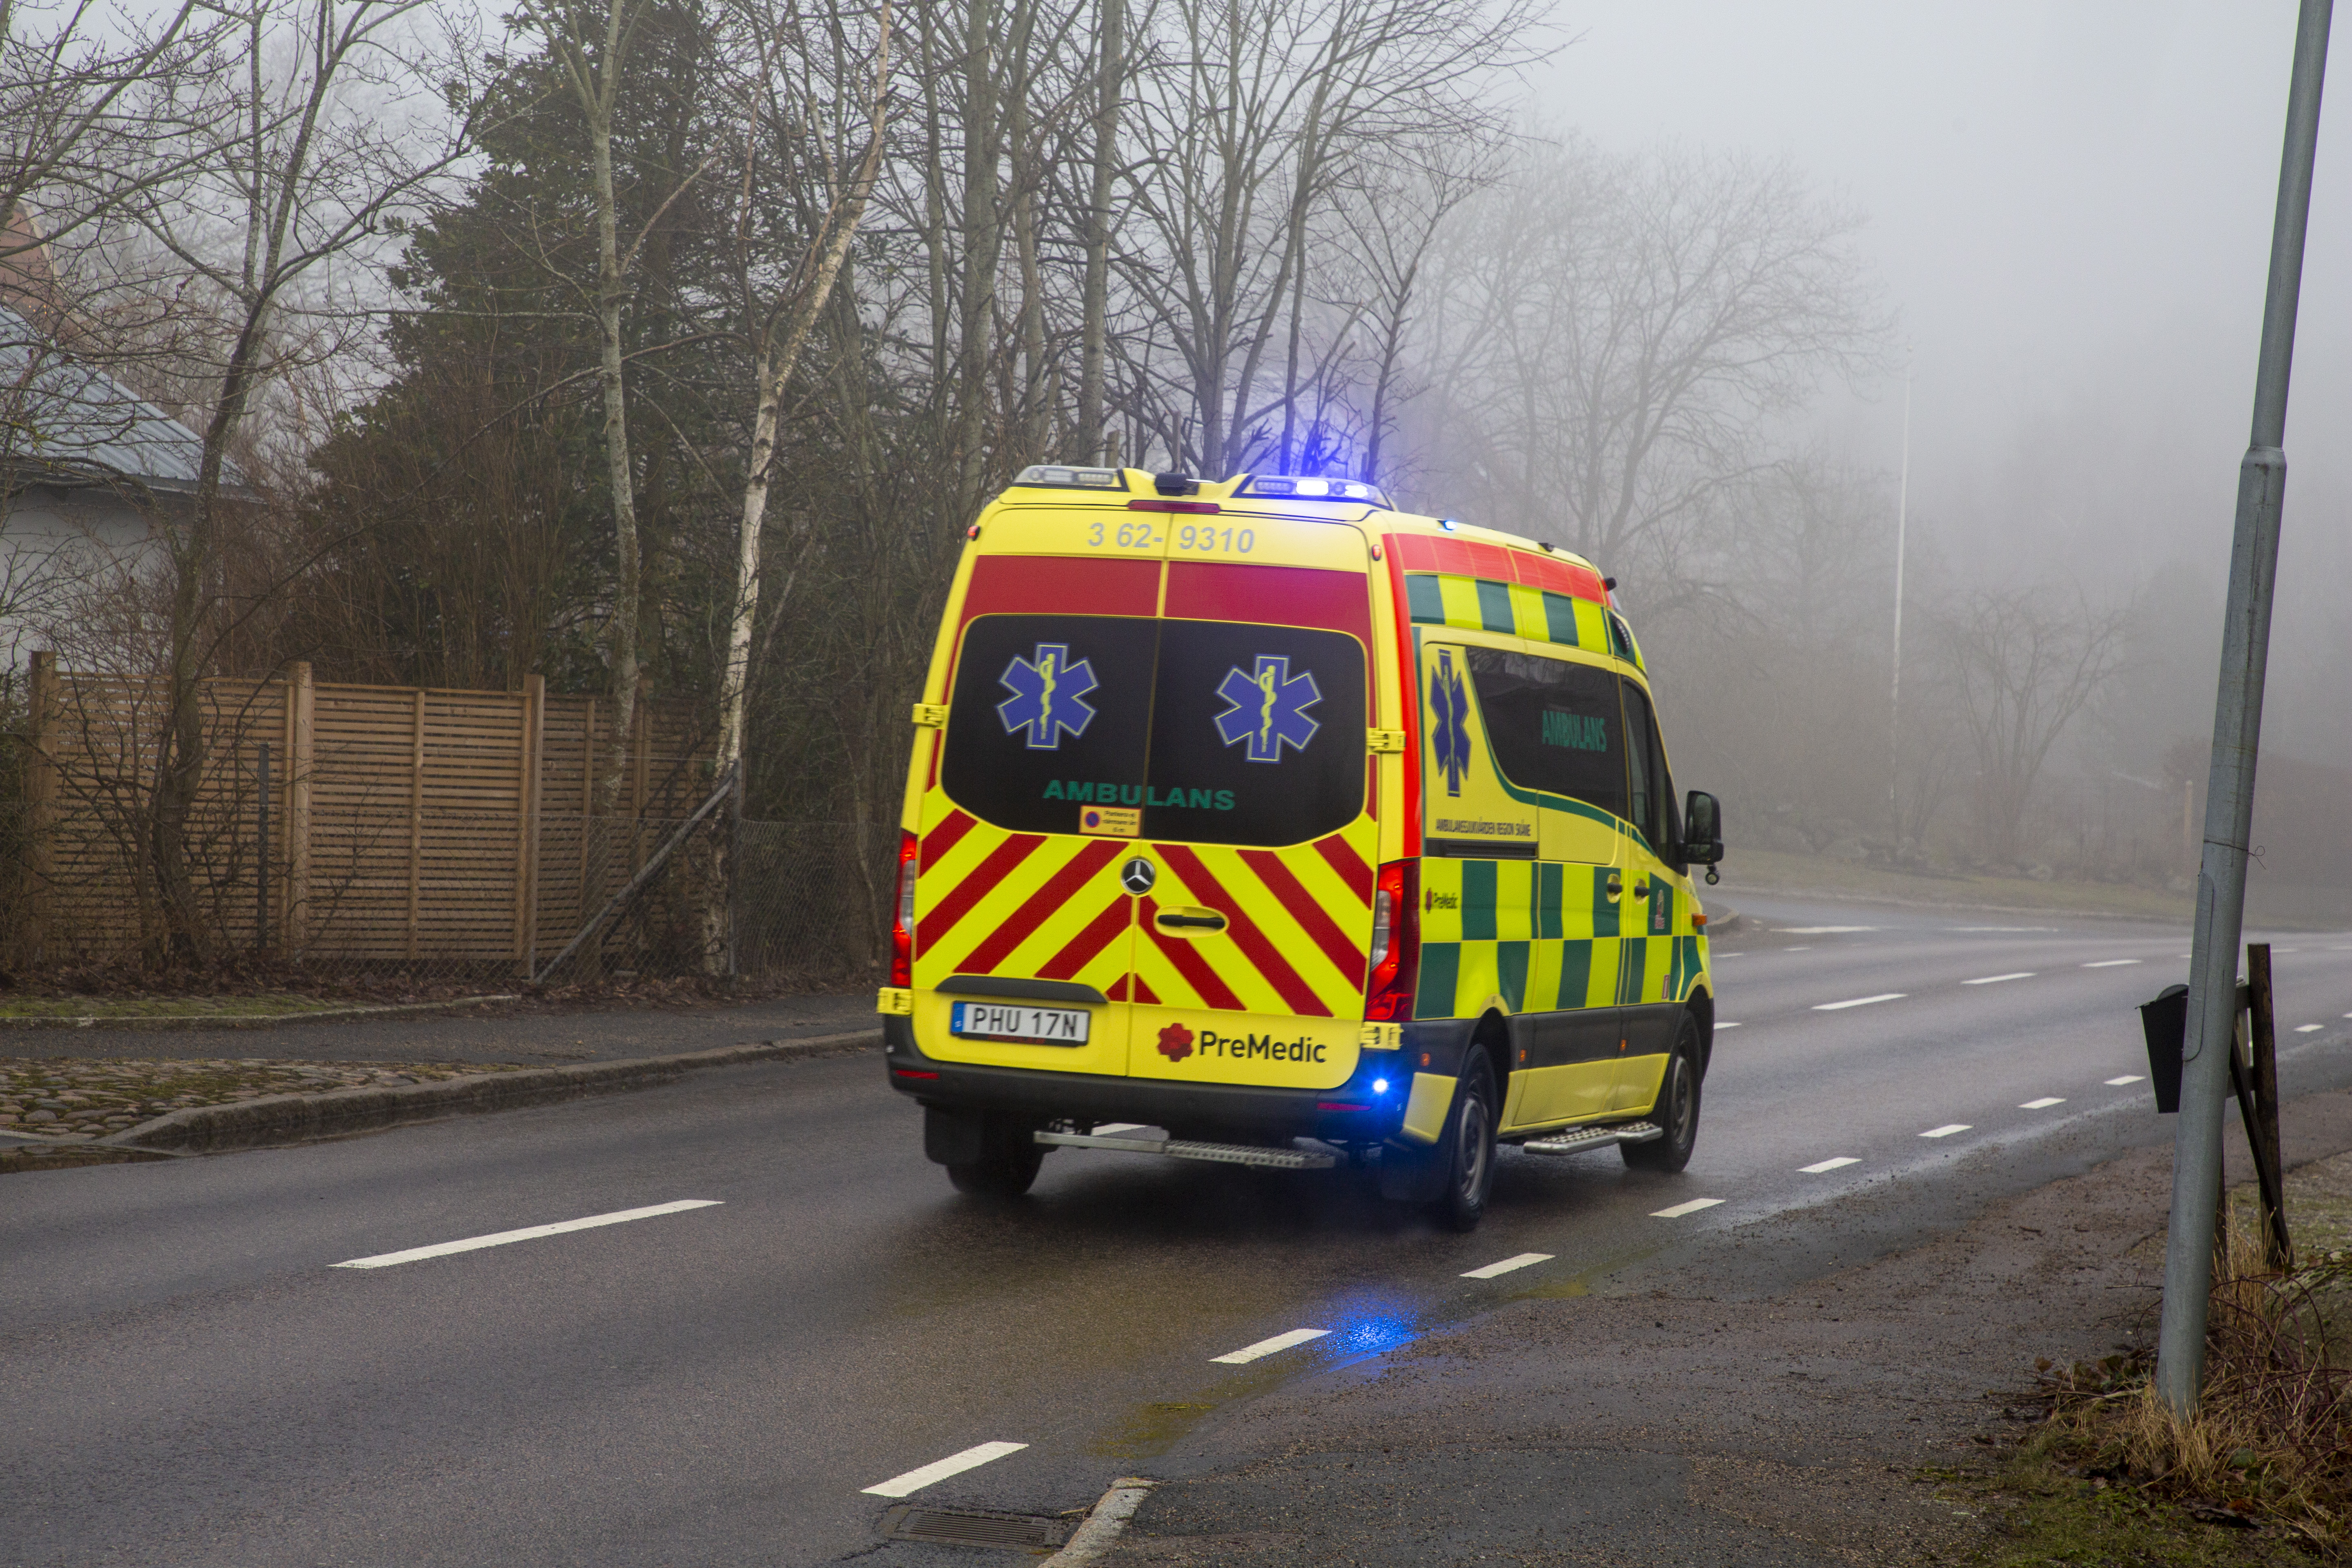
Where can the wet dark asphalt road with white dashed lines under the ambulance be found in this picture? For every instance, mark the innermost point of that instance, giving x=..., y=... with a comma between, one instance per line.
x=187, y=1379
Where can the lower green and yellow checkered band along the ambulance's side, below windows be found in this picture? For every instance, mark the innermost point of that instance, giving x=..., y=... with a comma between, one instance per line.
x=1502, y=930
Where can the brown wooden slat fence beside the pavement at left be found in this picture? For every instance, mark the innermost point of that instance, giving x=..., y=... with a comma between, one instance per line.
x=406, y=826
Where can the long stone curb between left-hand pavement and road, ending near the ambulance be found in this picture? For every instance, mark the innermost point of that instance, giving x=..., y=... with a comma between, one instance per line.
x=274, y=1120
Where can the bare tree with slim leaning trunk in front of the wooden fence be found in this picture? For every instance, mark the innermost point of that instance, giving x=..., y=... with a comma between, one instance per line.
x=283, y=156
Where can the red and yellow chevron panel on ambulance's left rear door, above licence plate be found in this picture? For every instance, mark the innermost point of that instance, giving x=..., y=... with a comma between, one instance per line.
x=1020, y=904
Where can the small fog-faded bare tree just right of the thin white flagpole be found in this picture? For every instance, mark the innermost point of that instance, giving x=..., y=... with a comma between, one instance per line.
x=2024, y=664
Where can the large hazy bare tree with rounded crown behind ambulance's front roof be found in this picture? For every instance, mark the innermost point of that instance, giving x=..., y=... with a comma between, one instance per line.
x=1617, y=335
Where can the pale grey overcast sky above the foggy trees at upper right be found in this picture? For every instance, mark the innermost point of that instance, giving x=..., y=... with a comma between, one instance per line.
x=2071, y=210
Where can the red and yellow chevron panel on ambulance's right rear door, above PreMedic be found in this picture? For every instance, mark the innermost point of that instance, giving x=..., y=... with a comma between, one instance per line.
x=1297, y=923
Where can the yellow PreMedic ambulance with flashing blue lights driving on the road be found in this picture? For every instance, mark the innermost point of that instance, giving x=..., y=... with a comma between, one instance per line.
x=1259, y=822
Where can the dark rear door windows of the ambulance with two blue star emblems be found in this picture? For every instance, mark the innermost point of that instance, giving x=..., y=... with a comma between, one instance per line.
x=1215, y=732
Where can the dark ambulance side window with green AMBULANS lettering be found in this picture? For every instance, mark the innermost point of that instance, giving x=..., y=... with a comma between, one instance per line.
x=1553, y=725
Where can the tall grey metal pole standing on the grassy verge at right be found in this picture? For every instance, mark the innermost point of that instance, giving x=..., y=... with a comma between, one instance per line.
x=2238, y=728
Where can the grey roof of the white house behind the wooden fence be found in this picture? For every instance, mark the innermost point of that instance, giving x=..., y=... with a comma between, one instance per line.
x=65, y=422
